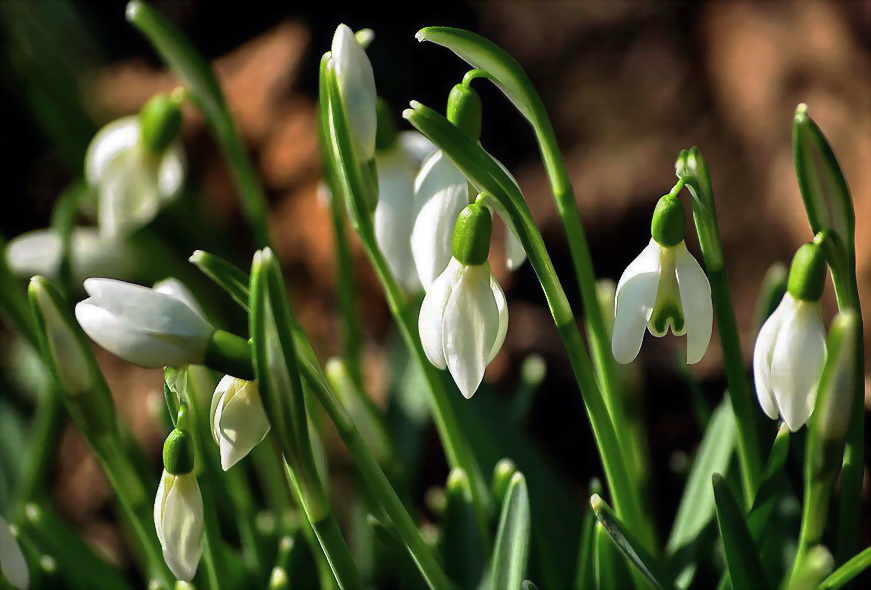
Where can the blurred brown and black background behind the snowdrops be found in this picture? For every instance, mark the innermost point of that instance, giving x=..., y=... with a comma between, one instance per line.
x=627, y=83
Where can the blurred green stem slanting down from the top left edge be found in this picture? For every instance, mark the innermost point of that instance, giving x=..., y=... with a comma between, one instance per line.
x=206, y=93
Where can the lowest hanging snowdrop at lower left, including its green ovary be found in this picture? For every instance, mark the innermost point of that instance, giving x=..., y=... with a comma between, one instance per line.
x=178, y=507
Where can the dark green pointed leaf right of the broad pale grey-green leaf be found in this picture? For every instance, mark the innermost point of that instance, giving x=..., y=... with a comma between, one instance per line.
x=742, y=554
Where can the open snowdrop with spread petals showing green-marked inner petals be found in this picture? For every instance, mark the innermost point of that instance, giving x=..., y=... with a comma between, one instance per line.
x=663, y=288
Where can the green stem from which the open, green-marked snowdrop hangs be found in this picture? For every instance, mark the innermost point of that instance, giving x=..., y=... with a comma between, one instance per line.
x=693, y=172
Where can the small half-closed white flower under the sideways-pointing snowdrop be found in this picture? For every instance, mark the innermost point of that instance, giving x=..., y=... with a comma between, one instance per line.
x=238, y=420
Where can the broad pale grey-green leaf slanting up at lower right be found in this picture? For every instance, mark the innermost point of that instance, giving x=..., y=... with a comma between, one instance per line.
x=696, y=510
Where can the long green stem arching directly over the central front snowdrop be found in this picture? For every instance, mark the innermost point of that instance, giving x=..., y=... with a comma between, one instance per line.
x=490, y=178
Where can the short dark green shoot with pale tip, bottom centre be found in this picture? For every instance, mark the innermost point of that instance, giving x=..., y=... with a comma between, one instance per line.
x=460, y=544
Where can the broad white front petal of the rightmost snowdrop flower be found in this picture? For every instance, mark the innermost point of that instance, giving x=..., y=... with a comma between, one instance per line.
x=799, y=356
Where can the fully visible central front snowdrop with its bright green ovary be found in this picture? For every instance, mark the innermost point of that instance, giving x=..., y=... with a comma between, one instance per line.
x=464, y=316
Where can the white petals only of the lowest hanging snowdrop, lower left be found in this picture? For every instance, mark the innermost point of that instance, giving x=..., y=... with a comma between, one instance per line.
x=178, y=520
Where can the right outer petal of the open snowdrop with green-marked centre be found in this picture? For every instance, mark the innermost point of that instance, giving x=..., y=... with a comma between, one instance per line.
x=695, y=297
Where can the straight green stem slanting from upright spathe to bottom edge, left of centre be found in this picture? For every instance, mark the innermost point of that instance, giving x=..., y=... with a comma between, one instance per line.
x=365, y=462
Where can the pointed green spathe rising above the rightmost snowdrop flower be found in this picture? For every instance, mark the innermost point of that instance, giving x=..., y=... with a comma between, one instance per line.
x=823, y=188
